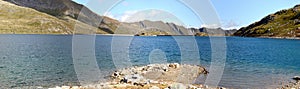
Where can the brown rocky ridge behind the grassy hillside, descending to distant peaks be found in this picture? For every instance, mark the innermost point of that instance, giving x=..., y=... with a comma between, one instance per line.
x=67, y=10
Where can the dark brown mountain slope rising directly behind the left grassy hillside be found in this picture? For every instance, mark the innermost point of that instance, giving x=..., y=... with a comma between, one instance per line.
x=69, y=10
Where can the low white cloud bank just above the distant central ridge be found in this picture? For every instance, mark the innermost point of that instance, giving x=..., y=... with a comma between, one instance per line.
x=160, y=15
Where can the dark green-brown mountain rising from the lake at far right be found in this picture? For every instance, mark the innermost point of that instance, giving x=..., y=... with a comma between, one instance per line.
x=284, y=23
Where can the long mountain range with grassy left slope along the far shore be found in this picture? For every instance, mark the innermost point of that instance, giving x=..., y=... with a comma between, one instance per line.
x=60, y=17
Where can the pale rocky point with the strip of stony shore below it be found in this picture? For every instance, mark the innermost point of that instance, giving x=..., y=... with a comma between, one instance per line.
x=153, y=76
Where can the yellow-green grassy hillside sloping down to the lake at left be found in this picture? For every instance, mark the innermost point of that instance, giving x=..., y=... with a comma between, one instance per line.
x=22, y=20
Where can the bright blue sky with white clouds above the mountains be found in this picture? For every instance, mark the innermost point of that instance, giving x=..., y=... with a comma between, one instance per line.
x=232, y=14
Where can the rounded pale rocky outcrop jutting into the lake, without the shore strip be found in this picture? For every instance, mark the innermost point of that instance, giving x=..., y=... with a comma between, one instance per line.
x=155, y=73
